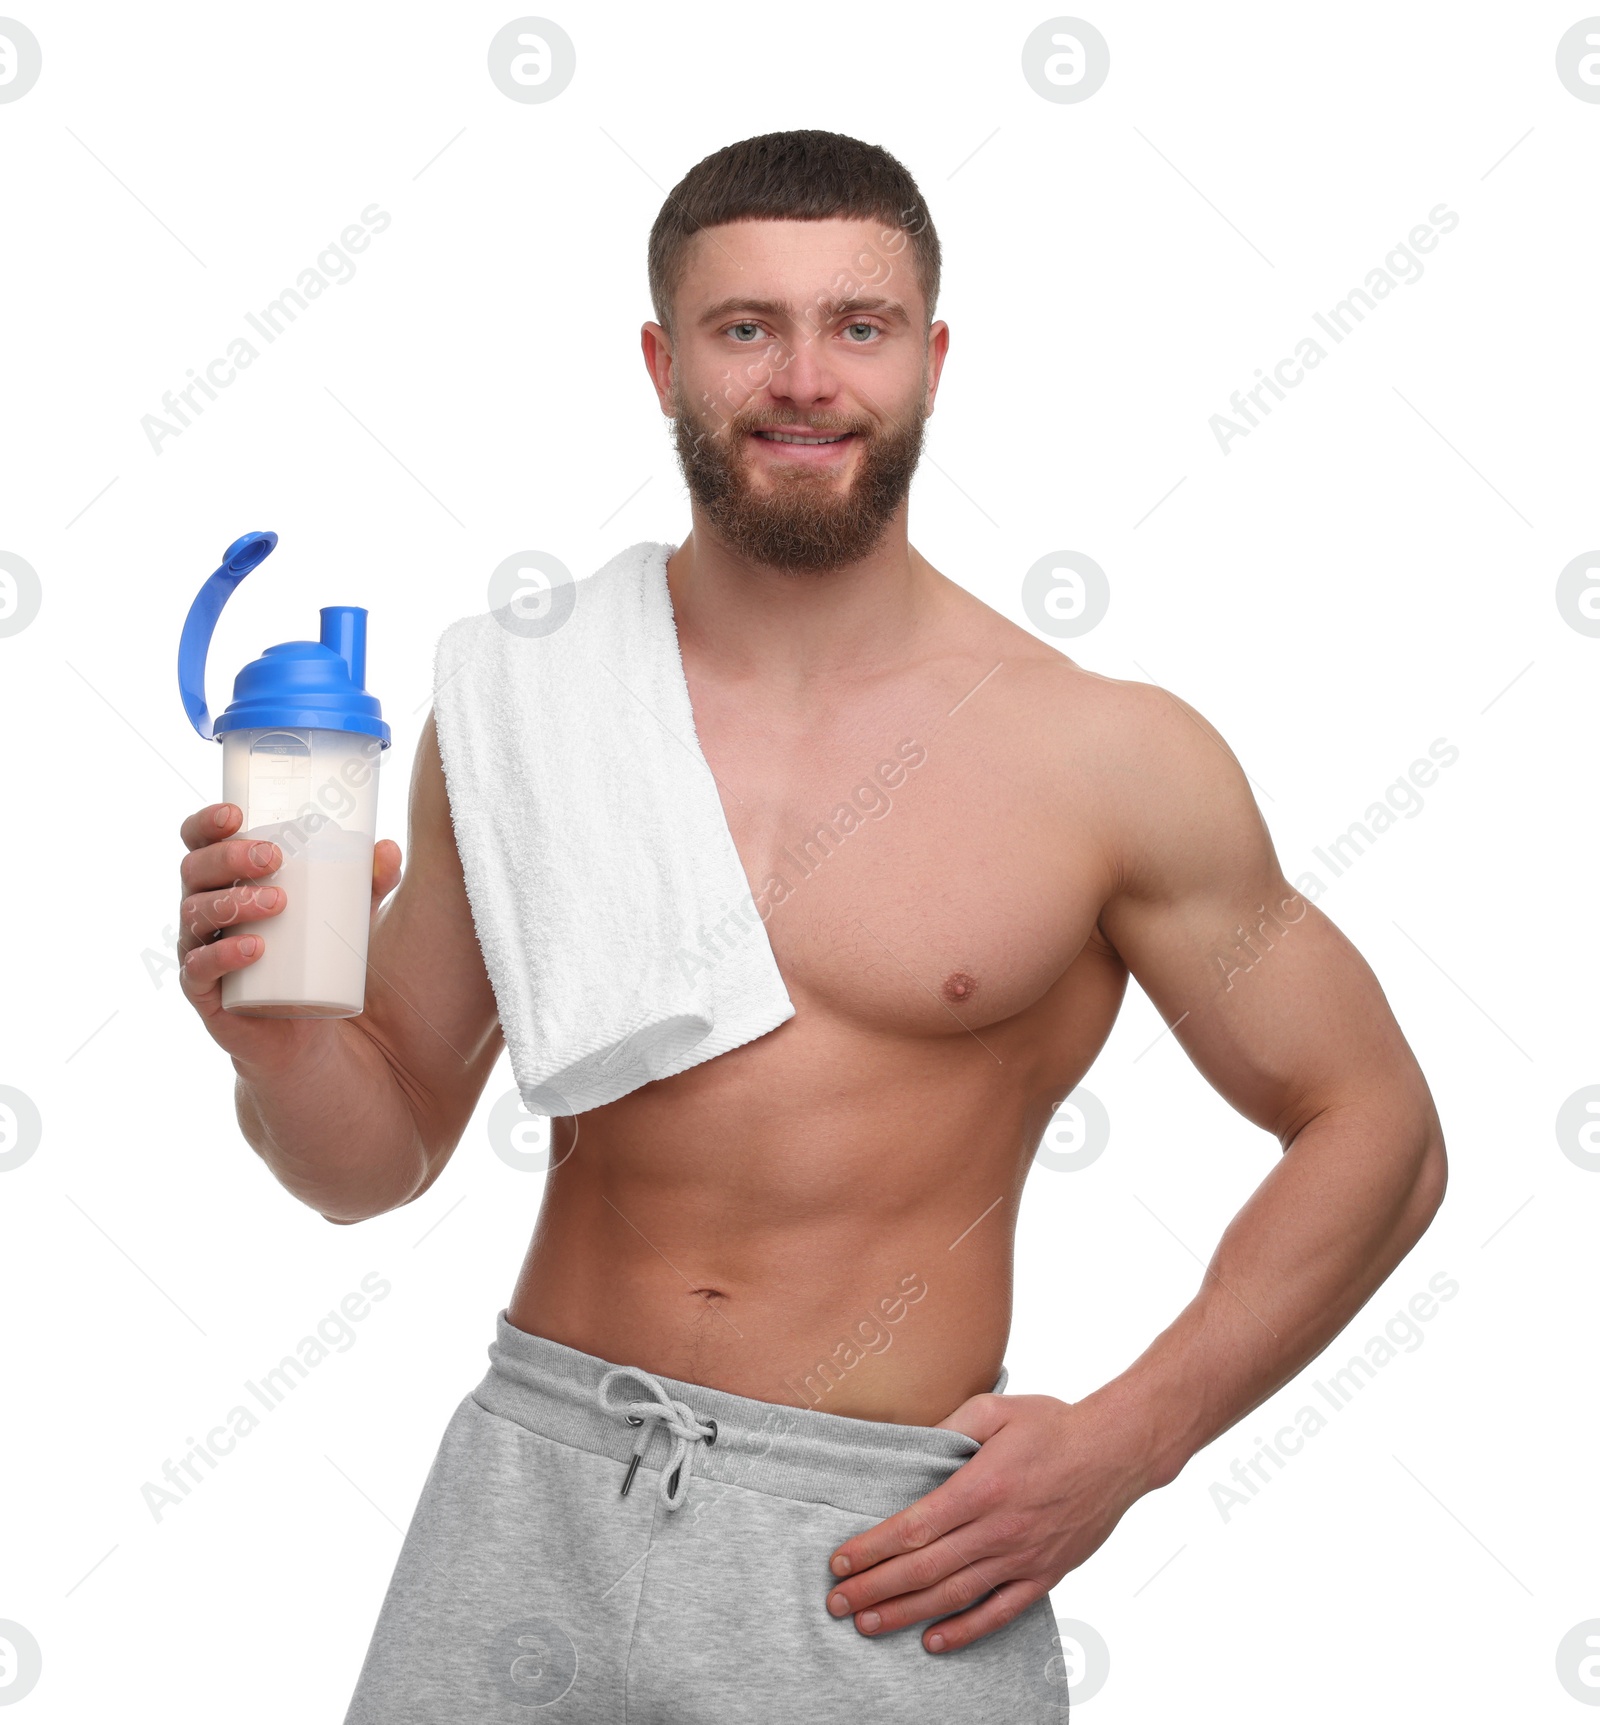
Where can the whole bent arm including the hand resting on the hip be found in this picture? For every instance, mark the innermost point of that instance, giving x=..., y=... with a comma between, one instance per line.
x=1296, y=1032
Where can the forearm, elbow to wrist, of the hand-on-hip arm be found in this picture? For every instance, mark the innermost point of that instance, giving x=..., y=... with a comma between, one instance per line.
x=1320, y=1236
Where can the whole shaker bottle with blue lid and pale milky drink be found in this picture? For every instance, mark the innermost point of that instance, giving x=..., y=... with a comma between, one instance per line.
x=301, y=750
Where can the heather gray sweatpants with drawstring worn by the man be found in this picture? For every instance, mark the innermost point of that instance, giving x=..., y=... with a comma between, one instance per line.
x=534, y=1586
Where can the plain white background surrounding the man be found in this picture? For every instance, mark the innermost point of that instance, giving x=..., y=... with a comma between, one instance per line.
x=1373, y=568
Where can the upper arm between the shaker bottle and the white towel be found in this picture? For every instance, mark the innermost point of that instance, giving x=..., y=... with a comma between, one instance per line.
x=430, y=1005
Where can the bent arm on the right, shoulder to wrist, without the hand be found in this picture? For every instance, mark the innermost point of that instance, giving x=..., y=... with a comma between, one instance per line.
x=1285, y=1020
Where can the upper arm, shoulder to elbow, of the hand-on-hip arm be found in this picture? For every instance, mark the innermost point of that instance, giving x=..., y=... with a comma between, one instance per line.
x=1266, y=996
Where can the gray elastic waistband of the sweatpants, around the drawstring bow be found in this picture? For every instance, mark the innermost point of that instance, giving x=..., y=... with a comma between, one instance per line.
x=865, y=1465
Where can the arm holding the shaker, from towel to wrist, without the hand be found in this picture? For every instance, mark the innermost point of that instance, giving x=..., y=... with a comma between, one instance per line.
x=370, y=1122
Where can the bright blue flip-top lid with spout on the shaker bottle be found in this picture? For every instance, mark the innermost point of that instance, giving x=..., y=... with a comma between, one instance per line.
x=297, y=686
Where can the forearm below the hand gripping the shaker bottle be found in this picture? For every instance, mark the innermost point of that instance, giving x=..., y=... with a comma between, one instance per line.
x=335, y=1127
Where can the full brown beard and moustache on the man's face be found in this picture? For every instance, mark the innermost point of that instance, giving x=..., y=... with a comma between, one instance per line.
x=799, y=522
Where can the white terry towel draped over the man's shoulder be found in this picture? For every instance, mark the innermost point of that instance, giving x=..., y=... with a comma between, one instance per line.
x=615, y=917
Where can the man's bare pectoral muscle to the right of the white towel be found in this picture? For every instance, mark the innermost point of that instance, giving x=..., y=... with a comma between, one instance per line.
x=911, y=879
